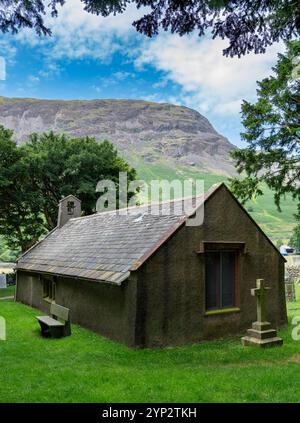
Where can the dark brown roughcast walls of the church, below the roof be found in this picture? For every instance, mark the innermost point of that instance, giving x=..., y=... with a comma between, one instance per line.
x=163, y=302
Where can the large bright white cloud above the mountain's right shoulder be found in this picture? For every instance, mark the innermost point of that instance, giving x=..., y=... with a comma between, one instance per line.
x=209, y=81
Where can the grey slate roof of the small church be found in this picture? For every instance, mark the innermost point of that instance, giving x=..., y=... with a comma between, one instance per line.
x=107, y=246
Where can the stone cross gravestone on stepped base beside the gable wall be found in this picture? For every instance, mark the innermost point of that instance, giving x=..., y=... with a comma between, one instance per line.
x=261, y=334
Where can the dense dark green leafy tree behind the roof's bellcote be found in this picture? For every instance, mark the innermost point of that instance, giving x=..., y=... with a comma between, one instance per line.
x=35, y=176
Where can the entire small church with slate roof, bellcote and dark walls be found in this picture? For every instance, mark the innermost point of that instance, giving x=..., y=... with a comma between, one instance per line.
x=154, y=280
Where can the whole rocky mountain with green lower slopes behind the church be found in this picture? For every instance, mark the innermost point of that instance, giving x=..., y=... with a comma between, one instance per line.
x=161, y=141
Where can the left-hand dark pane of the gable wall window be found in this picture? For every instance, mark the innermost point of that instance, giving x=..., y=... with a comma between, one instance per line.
x=212, y=280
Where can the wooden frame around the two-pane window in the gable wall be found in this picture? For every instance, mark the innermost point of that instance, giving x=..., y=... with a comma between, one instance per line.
x=223, y=248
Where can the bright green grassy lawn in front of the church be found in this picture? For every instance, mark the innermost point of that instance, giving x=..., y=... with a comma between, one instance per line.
x=88, y=368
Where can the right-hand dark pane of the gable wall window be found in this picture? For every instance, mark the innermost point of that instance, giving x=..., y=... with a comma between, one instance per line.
x=228, y=279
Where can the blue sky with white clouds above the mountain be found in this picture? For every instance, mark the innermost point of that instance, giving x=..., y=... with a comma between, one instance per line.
x=91, y=57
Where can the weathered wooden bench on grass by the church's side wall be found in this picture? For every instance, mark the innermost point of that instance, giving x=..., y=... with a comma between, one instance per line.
x=58, y=325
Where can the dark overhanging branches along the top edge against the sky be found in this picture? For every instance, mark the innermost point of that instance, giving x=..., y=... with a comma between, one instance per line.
x=249, y=26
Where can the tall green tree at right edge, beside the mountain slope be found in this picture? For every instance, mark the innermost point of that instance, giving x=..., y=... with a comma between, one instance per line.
x=272, y=131
